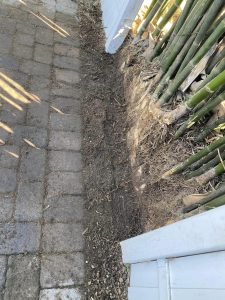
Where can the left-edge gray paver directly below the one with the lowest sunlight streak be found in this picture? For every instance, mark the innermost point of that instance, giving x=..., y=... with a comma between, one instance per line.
x=7, y=180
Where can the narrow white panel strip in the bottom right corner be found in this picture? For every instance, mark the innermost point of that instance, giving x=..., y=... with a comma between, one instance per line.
x=189, y=294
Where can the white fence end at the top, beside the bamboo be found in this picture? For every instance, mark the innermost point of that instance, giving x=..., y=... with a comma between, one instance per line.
x=117, y=28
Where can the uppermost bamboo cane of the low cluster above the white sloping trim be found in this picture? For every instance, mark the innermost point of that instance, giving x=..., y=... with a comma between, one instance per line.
x=192, y=159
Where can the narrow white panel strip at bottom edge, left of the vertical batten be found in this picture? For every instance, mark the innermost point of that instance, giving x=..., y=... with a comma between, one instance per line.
x=144, y=294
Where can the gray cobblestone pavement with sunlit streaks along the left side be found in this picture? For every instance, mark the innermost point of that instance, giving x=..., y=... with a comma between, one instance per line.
x=41, y=204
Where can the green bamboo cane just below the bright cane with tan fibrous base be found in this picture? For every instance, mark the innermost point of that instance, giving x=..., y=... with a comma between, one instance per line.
x=199, y=114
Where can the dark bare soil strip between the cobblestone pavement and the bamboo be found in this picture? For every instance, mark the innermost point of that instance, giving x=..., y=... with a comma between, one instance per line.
x=111, y=202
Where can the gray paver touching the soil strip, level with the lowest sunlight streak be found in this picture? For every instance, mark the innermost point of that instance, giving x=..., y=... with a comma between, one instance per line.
x=65, y=161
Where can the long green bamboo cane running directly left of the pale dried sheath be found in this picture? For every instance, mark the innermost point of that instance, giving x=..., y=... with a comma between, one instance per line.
x=173, y=87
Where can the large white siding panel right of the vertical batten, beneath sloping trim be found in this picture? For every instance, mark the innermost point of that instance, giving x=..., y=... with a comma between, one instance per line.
x=199, y=271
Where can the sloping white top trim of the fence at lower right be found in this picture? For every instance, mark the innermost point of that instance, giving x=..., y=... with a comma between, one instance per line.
x=199, y=234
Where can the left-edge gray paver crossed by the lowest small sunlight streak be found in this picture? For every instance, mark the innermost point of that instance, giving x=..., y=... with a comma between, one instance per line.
x=9, y=156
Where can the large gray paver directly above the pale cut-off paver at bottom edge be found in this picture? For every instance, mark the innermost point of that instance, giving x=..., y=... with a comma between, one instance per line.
x=62, y=270
